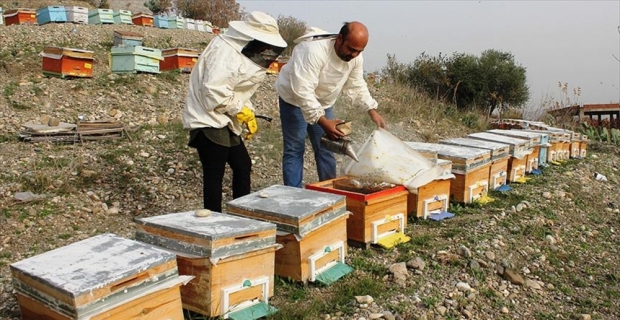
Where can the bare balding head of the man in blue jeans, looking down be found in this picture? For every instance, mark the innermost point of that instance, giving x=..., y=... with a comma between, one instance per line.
x=351, y=40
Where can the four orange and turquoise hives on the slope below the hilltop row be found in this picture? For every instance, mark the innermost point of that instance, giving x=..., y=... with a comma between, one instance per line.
x=126, y=56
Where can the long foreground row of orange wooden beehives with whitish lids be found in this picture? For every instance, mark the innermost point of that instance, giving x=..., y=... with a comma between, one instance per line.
x=301, y=234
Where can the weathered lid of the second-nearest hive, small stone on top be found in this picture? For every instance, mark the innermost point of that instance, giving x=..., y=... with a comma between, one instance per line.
x=216, y=236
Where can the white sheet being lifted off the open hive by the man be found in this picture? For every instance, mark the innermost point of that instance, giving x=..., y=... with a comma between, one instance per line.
x=385, y=158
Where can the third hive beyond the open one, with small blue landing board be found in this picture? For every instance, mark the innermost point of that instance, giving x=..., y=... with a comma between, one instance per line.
x=500, y=156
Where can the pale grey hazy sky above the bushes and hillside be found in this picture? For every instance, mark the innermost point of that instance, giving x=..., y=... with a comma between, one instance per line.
x=571, y=42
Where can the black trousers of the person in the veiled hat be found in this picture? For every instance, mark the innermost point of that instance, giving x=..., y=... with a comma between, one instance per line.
x=214, y=158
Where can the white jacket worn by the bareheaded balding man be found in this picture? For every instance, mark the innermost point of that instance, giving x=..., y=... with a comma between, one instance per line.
x=314, y=76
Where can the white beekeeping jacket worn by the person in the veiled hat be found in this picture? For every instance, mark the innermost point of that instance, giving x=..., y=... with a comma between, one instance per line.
x=222, y=81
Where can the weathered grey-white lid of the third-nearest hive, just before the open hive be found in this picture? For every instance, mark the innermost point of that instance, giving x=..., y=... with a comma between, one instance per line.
x=293, y=210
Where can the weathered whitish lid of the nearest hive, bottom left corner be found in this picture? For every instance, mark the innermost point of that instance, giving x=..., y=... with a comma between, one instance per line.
x=82, y=278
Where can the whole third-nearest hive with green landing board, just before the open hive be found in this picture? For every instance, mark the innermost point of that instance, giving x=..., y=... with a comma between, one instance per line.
x=312, y=230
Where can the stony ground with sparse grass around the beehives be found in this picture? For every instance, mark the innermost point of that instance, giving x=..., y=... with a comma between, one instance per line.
x=548, y=249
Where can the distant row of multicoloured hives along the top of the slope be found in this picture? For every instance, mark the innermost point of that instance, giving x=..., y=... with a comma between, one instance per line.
x=80, y=15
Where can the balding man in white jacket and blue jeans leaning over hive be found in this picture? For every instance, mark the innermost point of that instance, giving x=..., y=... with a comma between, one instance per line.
x=321, y=66
